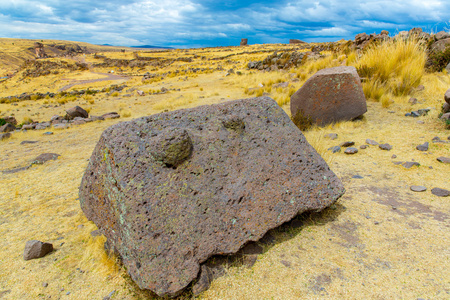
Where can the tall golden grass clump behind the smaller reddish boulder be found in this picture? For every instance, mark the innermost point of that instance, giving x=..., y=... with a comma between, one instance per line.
x=394, y=67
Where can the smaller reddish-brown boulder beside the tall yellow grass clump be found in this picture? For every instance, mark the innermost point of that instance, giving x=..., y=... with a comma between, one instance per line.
x=329, y=96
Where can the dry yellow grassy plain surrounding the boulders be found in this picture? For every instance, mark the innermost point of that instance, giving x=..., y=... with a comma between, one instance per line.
x=379, y=241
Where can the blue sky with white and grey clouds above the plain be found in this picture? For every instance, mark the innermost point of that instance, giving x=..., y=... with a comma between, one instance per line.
x=206, y=23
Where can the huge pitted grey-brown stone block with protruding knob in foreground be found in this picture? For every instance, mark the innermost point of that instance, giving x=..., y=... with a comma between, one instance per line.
x=249, y=169
